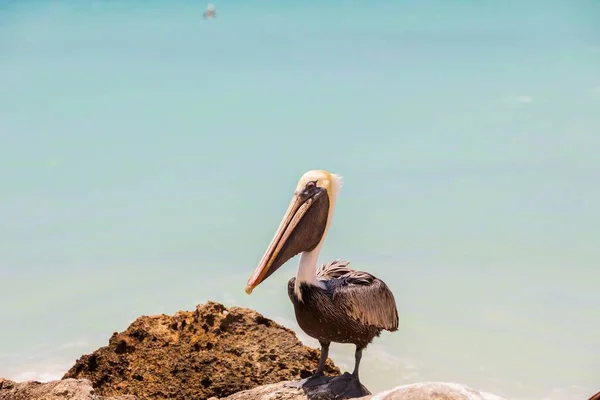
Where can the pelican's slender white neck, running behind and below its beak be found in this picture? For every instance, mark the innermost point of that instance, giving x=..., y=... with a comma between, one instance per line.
x=307, y=269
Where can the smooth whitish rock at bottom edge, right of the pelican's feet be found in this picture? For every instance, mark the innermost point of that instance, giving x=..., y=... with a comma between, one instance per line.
x=433, y=391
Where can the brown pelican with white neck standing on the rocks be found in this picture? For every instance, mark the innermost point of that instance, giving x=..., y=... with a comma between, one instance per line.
x=333, y=303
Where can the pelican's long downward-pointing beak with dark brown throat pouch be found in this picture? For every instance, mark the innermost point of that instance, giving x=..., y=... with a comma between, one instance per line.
x=300, y=230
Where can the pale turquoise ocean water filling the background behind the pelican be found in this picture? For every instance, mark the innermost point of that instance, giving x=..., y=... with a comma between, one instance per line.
x=147, y=156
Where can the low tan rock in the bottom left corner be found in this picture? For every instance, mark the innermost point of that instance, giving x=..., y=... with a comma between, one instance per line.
x=66, y=389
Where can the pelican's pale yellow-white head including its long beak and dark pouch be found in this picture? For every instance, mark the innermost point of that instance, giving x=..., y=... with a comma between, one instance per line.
x=304, y=225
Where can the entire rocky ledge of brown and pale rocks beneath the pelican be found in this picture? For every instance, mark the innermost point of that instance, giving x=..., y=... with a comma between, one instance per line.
x=212, y=353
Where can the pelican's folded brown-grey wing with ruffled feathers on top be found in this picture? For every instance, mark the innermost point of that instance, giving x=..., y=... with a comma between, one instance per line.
x=361, y=295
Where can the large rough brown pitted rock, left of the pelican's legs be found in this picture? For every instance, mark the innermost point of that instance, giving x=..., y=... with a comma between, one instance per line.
x=212, y=351
